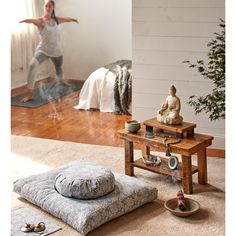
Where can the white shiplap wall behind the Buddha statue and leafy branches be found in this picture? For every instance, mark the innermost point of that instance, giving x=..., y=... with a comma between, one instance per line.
x=165, y=33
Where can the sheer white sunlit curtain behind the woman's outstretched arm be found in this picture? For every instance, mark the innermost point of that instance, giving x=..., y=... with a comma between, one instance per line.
x=24, y=37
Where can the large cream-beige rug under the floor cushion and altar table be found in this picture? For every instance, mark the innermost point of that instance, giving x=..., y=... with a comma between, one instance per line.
x=34, y=155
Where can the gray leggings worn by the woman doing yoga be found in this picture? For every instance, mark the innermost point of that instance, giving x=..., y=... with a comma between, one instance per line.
x=38, y=58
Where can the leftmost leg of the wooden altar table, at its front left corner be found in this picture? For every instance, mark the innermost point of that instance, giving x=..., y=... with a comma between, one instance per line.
x=129, y=158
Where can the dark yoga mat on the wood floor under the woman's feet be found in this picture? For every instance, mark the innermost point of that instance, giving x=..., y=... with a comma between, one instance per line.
x=46, y=94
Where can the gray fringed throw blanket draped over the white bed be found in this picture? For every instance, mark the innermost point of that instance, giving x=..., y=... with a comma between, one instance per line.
x=123, y=85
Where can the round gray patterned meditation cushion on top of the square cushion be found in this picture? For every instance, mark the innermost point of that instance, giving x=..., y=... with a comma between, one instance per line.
x=85, y=181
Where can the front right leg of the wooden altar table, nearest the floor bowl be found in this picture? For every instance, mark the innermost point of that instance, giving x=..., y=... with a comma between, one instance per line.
x=187, y=174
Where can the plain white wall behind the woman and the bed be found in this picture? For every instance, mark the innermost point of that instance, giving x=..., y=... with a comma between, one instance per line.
x=102, y=36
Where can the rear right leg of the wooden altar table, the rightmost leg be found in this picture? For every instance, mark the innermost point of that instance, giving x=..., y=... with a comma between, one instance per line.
x=202, y=166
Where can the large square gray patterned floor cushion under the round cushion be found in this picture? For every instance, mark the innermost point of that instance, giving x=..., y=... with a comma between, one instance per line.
x=85, y=215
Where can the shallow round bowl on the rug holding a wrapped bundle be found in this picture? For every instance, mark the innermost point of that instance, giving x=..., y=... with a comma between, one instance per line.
x=191, y=207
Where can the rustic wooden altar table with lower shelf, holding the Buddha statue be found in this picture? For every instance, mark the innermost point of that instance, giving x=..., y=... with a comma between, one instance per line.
x=195, y=144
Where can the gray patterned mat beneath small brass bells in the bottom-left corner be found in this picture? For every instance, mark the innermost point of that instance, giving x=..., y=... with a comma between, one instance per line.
x=22, y=215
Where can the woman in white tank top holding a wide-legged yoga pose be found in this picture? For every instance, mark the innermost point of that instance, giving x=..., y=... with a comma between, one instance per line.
x=49, y=45
